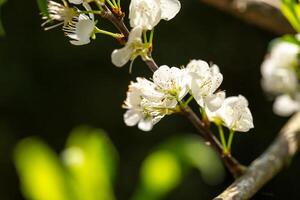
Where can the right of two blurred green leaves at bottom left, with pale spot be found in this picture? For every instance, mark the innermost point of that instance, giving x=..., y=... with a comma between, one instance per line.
x=92, y=159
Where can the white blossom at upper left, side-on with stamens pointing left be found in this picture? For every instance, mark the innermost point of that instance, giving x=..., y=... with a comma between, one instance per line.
x=81, y=30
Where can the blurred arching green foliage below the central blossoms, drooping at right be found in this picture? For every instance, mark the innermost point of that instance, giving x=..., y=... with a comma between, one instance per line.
x=164, y=168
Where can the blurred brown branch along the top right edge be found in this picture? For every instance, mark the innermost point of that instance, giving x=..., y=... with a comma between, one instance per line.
x=263, y=13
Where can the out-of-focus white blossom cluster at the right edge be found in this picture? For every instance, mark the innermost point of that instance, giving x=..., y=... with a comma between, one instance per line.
x=280, y=76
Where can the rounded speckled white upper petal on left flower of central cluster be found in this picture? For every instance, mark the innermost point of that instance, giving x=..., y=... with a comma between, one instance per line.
x=172, y=81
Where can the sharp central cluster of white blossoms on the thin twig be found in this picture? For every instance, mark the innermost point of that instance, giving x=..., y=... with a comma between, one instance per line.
x=148, y=102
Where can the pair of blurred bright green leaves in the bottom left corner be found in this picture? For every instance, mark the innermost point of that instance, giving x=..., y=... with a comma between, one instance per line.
x=85, y=172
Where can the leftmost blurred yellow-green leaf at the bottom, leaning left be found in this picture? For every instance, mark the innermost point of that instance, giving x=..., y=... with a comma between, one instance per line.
x=41, y=175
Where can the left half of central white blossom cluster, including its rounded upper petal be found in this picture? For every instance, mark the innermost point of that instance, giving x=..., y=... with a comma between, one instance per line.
x=148, y=102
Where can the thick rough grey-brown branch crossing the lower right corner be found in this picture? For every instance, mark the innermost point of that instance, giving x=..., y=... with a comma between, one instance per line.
x=265, y=167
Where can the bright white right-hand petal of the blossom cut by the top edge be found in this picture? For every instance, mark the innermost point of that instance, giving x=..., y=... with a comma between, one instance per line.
x=169, y=8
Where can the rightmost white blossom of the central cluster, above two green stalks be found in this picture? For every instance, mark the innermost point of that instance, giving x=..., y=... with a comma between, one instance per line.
x=234, y=114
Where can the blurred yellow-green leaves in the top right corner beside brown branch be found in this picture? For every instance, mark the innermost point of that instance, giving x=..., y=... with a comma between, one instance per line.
x=291, y=10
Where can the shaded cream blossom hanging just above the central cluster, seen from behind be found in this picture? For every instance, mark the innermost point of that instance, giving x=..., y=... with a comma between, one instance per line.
x=133, y=48
